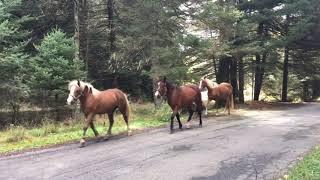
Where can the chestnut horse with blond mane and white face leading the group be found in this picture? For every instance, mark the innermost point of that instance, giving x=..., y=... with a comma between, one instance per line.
x=93, y=101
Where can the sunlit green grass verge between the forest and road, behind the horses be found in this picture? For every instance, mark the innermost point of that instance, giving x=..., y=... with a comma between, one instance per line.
x=17, y=138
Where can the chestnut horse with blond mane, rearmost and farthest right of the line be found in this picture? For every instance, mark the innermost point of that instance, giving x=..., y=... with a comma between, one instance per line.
x=223, y=91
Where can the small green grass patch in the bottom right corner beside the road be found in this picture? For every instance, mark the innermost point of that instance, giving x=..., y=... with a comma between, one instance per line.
x=308, y=168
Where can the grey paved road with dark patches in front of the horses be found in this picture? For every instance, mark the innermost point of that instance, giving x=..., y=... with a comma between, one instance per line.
x=256, y=146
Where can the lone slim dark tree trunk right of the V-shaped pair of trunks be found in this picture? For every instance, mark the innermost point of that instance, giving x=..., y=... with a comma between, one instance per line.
x=284, y=97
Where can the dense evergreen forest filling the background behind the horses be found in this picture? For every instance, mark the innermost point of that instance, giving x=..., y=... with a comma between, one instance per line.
x=267, y=49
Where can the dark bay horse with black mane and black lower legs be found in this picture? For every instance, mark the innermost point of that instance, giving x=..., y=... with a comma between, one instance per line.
x=179, y=97
